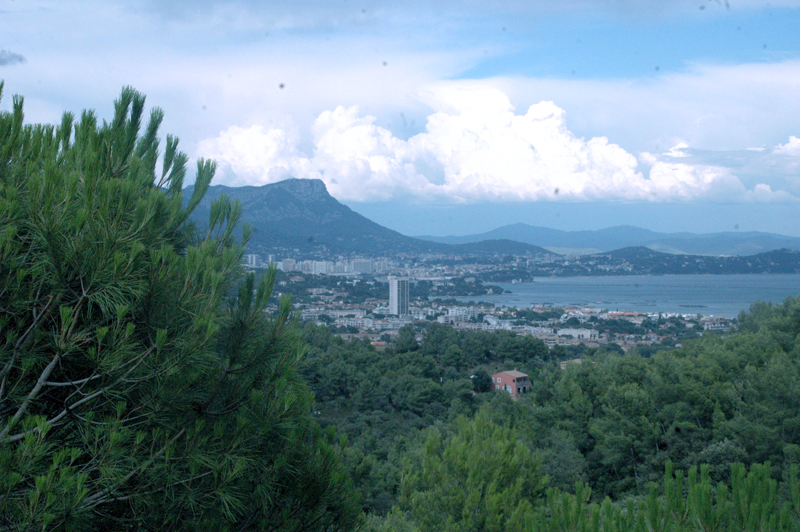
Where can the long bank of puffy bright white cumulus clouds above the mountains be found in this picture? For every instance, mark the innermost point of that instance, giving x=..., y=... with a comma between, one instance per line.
x=475, y=148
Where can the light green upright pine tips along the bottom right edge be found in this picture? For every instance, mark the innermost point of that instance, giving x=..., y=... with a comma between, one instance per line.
x=680, y=503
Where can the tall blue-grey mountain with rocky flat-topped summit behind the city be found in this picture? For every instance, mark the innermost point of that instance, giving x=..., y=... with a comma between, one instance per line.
x=300, y=214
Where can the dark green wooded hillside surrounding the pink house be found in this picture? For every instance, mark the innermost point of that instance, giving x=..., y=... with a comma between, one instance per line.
x=615, y=422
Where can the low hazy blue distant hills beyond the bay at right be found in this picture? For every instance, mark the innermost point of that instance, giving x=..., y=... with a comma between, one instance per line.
x=603, y=240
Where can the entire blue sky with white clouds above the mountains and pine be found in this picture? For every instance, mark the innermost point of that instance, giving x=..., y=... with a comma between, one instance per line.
x=452, y=117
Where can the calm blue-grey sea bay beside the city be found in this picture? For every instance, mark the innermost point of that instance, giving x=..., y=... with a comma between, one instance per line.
x=710, y=295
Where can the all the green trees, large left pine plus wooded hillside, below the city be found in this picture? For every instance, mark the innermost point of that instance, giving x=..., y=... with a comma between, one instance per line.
x=145, y=386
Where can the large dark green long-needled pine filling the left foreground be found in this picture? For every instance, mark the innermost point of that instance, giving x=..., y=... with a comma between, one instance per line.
x=136, y=392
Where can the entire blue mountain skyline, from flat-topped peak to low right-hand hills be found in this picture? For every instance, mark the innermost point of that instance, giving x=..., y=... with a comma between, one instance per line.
x=299, y=216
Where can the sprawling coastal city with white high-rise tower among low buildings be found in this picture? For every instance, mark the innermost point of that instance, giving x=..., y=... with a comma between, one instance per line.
x=374, y=299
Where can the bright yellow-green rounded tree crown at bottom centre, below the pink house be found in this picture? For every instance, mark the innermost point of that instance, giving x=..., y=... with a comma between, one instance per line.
x=480, y=477
